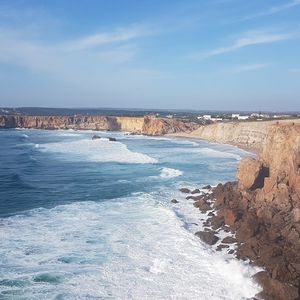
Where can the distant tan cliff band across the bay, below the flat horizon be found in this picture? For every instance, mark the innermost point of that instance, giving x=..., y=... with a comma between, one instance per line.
x=140, y=125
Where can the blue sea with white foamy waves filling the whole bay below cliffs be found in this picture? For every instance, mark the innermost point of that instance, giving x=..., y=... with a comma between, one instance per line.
x=92, y=219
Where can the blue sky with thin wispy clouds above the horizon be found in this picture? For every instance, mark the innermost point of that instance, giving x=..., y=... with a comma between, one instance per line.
x=170, y=54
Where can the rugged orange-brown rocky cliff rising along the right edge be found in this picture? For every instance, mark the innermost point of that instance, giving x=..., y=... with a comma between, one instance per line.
x=263, y=208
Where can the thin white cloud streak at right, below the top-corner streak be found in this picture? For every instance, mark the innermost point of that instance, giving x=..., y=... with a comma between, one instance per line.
x=249, y=39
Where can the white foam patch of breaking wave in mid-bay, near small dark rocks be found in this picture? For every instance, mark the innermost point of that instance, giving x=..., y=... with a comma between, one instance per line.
x=100, y=150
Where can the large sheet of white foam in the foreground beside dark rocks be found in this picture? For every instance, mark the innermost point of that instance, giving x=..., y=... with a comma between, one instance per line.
x=133, y=248
